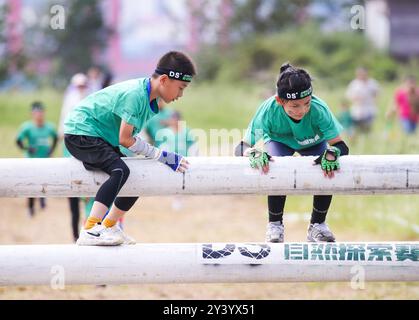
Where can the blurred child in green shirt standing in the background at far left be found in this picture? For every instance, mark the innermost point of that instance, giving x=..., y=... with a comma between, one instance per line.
x=38, y=139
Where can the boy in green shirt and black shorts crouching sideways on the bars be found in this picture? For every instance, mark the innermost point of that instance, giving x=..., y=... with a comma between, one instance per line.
x=114, y=116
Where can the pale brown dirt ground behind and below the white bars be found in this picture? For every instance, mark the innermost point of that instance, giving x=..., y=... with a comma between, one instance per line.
x=200, y=219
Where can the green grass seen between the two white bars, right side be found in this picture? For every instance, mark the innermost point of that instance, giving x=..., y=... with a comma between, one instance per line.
x=365, y=214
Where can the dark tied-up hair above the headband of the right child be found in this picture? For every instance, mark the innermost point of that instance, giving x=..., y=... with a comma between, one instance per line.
x=292, y=79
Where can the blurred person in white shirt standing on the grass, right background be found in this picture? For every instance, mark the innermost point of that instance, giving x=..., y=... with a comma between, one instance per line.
x=362, y=93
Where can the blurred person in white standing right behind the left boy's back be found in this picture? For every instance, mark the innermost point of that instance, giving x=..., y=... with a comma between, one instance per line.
x=75, y=92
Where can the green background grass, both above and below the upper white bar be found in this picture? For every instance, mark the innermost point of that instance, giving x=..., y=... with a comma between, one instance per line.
x=216, y=106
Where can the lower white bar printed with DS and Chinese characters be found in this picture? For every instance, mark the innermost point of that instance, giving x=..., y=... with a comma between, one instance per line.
x=219, y=262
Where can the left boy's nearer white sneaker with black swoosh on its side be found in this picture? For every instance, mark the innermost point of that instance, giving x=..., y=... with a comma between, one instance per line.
x=99, y=236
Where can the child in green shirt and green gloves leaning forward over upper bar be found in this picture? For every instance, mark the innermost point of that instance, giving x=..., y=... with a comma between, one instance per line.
x=295, y=120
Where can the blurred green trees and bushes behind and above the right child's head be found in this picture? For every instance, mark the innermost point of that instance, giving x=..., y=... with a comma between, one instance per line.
x=268, y=33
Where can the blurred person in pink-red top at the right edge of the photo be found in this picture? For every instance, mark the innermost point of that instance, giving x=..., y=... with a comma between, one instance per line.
x=406, y=104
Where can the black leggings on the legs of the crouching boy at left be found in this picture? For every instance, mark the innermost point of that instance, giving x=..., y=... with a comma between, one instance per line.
x=107, y=193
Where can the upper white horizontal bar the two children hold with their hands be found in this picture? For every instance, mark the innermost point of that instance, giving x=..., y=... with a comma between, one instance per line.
x=65, y=177
